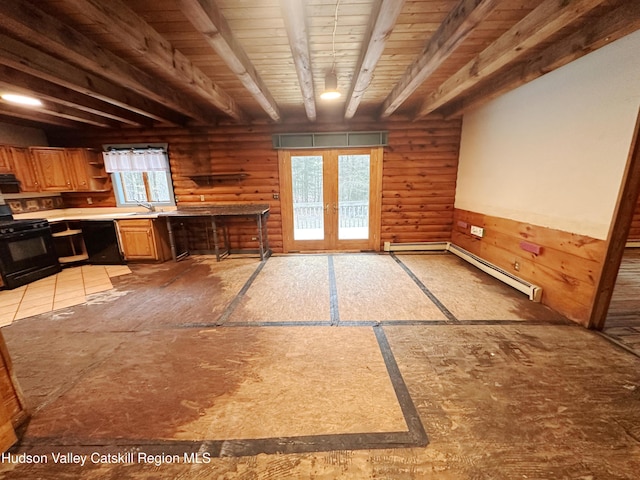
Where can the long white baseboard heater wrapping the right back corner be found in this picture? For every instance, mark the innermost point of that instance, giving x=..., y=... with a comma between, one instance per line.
x=533, y=291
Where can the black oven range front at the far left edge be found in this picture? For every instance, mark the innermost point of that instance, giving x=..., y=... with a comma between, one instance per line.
x=26, y=256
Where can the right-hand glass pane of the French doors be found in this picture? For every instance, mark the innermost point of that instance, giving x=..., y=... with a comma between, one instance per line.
x=353, y=197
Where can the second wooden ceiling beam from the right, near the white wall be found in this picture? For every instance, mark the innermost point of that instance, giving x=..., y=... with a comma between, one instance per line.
x=543, y=22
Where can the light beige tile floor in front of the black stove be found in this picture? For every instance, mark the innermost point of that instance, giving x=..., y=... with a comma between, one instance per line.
x=65, y=289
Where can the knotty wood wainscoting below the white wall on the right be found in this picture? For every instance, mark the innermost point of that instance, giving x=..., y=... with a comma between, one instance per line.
x=567, y=267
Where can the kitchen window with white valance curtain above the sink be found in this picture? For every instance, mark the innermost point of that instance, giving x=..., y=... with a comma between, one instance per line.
x=140, y=175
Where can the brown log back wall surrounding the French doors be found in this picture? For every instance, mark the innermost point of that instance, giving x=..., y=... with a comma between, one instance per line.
x=419, y=172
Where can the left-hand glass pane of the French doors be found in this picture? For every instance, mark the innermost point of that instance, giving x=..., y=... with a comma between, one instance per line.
x=308, y=200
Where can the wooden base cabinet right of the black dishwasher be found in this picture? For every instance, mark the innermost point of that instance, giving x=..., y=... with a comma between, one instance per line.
x=144, y=239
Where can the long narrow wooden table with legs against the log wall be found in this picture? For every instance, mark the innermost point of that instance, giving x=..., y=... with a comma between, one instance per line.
x=217, y=215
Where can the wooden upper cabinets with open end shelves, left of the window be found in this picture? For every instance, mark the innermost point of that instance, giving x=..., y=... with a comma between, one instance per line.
x=69, y=170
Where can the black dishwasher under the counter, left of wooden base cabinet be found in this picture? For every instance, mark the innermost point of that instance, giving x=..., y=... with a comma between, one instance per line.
x=101, y=241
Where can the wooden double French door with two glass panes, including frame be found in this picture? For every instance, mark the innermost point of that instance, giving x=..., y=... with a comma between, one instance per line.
x=331, y=199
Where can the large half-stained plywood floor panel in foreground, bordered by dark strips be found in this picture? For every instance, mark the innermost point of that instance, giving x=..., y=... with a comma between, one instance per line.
x=232, y=383
